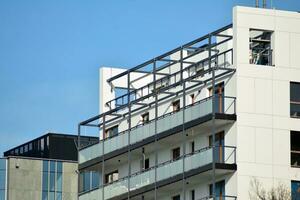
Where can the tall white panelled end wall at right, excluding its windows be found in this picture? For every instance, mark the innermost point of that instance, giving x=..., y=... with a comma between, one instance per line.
x=264, y=123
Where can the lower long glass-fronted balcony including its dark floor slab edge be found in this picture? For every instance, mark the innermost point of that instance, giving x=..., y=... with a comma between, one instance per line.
x=197, y=164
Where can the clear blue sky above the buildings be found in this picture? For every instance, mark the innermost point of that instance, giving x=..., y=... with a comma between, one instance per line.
x=50, y=52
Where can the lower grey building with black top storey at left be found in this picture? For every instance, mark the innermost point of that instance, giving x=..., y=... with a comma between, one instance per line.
x=42, y=169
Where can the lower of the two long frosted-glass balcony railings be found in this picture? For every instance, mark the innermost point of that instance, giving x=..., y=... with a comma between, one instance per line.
x=165, y=170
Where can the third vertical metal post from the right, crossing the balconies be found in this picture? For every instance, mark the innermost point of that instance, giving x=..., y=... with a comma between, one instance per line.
x=155, y=127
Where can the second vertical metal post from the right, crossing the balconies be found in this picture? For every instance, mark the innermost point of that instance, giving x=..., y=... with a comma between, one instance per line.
x=183, y=125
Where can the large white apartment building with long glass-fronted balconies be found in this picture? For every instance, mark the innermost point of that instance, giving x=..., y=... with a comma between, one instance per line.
x=201, y=121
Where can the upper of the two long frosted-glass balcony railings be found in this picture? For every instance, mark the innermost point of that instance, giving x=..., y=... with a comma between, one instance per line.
x=165, y=122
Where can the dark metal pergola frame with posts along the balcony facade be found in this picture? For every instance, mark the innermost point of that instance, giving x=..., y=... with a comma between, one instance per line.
x=101, y=120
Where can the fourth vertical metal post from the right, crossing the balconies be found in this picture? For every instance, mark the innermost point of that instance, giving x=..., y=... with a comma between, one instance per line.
x=129, y=127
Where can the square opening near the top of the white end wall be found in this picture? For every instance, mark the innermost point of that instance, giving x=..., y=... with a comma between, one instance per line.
x=260, y=47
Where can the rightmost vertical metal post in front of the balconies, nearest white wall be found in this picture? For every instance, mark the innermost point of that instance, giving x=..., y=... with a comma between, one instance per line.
x=213, y=120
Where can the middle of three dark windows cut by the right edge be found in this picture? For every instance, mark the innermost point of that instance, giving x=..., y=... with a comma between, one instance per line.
x=295, y=148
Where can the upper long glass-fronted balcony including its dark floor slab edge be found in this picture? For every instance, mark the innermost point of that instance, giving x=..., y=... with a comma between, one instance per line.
x=167, y=124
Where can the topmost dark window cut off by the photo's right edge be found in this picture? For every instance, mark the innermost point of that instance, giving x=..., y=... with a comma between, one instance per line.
x=295, y=99
